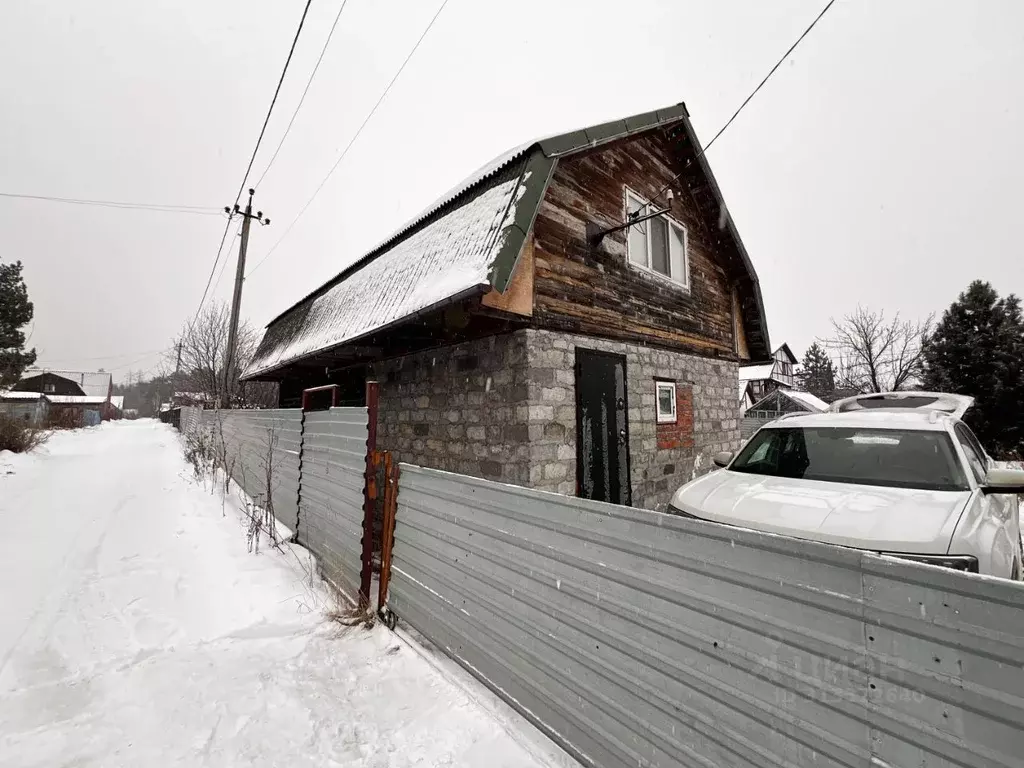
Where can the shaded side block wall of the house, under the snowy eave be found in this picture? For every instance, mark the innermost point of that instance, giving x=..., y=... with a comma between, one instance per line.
x=461, y=409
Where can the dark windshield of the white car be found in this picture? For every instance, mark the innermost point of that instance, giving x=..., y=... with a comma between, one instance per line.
x=907, y=459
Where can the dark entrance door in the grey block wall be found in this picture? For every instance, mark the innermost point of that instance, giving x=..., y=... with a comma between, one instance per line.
x=603, y=431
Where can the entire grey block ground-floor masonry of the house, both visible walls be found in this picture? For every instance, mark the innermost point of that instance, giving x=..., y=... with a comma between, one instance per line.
x=504, y=409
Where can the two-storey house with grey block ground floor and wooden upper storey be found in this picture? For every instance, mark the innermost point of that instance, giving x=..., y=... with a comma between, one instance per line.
x=513, y=342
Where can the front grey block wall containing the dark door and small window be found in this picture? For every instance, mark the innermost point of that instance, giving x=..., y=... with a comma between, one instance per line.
x=658, y=465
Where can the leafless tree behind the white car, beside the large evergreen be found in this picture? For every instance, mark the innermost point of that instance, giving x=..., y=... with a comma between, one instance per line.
x=875, y=355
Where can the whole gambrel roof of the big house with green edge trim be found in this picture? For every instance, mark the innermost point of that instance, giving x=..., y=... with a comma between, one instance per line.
x=464, y=244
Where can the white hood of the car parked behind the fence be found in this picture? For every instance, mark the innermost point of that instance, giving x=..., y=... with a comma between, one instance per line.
x=863, y=517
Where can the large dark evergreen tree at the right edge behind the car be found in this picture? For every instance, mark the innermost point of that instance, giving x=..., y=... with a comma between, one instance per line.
x=978, y=350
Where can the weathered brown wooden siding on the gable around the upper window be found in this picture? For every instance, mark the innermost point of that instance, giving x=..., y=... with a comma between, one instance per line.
x=594, y=291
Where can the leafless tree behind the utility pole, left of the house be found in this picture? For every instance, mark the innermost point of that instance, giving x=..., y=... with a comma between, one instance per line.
x=203, y=358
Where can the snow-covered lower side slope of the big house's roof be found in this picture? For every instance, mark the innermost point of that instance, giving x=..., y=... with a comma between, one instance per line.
x=450, y=257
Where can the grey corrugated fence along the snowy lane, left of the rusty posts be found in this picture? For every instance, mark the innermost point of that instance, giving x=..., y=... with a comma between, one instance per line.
x=313, y=467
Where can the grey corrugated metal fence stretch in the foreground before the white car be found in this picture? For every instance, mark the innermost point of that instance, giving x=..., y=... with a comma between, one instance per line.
x=641, y=639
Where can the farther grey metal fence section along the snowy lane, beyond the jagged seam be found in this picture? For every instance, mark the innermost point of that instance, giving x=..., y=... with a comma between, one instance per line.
x=262, y=452
